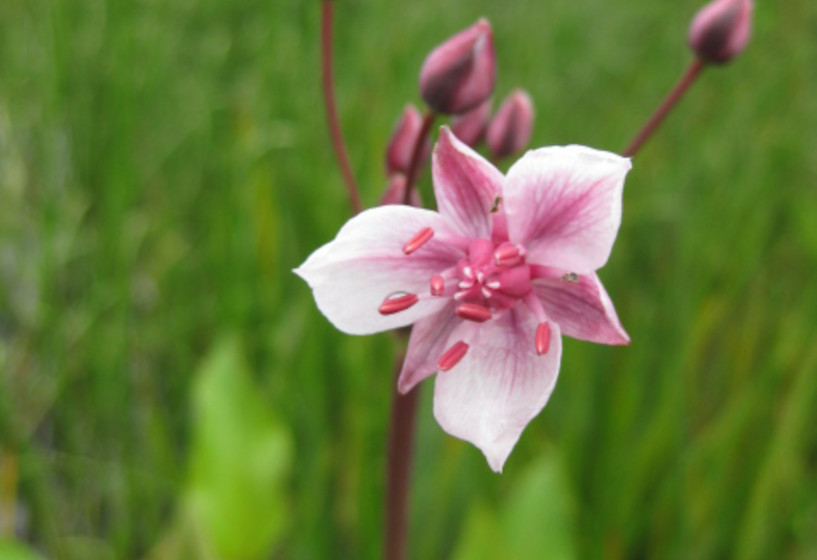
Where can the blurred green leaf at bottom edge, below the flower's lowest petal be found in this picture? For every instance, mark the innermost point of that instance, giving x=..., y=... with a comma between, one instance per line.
x=536, y=520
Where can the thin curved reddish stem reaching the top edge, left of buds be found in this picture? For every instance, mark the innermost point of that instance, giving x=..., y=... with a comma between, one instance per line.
x=331, y=109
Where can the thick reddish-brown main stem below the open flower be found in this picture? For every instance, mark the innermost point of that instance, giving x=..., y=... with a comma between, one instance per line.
x=398, y=468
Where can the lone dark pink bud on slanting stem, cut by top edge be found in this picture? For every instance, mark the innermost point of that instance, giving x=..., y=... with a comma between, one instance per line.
x=720, y=30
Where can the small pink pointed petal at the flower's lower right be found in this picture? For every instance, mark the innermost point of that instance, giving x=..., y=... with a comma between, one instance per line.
x=581, y=307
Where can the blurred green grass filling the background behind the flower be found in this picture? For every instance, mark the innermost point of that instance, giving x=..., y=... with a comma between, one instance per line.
x=164, y=165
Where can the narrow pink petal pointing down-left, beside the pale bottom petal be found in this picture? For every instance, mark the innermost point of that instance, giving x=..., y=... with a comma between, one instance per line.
x=429, y=337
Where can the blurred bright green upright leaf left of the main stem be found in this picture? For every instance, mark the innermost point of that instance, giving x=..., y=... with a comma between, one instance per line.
x=240, y=460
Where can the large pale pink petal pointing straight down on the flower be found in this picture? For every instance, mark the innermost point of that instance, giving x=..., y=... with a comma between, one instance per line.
x=499, y=386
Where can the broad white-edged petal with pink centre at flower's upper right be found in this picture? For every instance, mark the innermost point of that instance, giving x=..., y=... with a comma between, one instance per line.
x=564, y=205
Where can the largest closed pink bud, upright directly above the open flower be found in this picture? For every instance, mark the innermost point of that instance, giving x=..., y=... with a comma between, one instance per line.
x=460, y=74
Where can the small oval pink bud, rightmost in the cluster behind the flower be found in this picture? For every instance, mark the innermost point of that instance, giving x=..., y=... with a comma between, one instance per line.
x=511, y=126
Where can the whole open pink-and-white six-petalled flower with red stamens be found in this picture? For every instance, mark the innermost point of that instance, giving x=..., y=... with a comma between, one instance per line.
x=490, y=282
